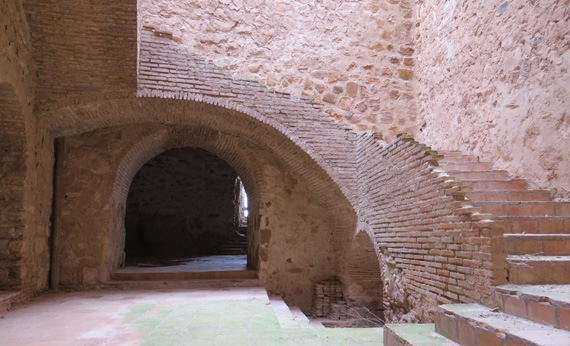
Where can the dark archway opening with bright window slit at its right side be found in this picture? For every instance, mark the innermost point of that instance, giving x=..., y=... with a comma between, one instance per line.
x=186, y=206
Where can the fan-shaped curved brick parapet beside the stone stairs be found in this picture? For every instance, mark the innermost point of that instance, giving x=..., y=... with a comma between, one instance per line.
x=433, y=249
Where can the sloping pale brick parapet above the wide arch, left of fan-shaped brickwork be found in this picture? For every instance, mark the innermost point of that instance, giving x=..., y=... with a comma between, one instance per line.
x=168, y=71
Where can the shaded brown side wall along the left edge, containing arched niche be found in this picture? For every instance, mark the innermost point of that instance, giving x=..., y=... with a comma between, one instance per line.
x=26, y=160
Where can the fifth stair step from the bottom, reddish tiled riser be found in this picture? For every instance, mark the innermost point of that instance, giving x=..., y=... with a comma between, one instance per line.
x=537, y=244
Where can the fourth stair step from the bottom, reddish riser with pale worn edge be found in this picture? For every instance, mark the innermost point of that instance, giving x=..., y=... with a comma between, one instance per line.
x=538, y=270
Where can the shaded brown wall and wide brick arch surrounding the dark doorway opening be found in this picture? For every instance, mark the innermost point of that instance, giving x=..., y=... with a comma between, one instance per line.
x=288, y=188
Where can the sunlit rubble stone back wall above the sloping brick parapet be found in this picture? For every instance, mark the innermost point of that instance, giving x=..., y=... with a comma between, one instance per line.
x=356, y=57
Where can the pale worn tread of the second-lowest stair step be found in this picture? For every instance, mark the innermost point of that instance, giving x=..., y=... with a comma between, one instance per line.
x=502, y=322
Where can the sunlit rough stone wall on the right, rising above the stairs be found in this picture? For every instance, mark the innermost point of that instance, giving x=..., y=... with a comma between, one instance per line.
x=494, y=81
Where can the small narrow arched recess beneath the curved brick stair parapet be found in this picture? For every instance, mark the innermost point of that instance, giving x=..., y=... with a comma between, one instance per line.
x=364, y=286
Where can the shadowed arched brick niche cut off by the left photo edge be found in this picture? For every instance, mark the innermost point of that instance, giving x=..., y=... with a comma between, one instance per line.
x=13, y=176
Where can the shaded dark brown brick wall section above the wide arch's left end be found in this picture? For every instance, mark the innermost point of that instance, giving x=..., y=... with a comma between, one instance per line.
x=85, y=49
